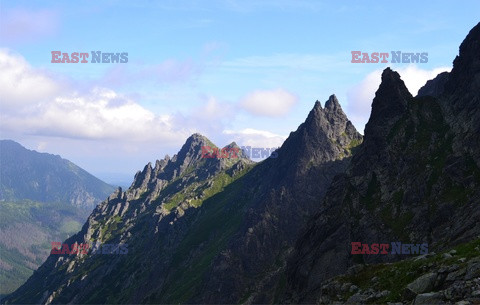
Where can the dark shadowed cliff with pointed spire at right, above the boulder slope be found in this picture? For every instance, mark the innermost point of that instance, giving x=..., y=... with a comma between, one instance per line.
x=414, y=179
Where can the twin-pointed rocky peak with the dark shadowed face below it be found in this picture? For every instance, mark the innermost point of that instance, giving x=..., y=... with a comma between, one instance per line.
x=286, y=193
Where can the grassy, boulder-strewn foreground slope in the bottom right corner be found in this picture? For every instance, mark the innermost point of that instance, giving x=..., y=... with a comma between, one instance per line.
x=447, y=278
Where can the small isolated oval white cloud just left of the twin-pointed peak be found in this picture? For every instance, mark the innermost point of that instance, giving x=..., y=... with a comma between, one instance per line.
x=272, y=103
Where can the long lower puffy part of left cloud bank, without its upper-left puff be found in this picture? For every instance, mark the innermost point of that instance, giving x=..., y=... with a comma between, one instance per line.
x=94, y=116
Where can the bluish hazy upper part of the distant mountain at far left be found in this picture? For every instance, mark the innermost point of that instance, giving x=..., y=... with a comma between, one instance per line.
x=27, y=174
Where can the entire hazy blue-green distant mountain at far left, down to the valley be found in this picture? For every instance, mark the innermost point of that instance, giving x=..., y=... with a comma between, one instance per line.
x=43, y=198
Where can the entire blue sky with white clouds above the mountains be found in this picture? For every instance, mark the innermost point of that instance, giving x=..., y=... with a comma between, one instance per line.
x=244, y=71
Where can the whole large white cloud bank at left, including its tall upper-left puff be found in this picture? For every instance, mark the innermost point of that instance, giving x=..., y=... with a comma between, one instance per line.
x=35, y=103
